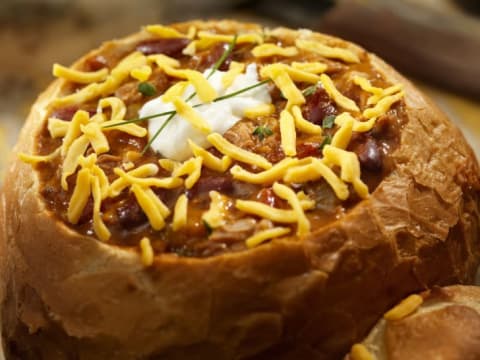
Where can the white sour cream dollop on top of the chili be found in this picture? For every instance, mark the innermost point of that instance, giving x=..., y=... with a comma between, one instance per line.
x=221, y=116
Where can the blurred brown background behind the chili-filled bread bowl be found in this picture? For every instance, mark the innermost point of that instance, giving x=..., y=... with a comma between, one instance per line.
x=436, y=43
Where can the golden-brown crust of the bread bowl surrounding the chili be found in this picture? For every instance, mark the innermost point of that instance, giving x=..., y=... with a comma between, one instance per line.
x=307, y=299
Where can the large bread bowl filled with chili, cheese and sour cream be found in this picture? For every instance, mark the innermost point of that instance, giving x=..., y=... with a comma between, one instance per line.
x=228, y=249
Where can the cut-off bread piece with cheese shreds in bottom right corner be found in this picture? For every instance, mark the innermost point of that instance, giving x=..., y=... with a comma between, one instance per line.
x=442, y=323
